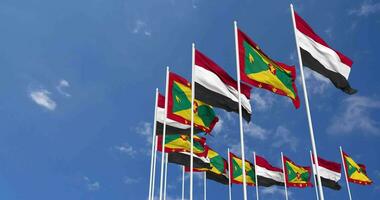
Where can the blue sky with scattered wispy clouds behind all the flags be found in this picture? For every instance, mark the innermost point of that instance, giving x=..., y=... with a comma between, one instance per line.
x=77, y=88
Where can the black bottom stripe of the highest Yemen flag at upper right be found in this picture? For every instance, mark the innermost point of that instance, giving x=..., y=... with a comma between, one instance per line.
x=337, y=79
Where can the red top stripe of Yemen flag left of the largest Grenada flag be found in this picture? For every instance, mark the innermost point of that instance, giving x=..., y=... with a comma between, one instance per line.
x=203, y=61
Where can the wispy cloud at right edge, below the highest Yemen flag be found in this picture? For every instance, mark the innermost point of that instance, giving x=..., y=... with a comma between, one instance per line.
x=356, y=115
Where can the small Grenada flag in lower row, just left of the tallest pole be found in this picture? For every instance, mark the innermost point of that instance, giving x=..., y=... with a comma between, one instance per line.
x=296, y=176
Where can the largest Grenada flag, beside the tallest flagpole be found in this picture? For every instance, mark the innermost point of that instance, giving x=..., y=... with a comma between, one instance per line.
x=257, y=69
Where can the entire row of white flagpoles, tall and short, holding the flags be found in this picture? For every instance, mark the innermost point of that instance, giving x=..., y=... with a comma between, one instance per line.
x=313, y=153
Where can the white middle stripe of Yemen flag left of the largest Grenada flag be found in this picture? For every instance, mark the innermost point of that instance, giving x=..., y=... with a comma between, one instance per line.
x=212, y=82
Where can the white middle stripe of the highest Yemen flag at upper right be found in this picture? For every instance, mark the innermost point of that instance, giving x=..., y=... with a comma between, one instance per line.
x=326, y=56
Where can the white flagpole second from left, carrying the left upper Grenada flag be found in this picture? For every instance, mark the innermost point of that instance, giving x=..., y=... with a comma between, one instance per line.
x=164, y=132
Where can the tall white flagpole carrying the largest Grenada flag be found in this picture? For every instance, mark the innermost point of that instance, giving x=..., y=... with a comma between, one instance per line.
x=240, y=112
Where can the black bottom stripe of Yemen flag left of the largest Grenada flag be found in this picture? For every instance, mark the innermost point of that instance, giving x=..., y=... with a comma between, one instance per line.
x=220, y=101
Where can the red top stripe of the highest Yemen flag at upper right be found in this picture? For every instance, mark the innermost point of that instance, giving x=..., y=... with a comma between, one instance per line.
x=303, y=27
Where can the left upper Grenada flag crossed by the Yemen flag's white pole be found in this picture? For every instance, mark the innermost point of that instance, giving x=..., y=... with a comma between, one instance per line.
x=179, y=105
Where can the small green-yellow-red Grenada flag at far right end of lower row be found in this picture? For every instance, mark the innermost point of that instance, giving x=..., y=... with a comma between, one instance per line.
x=356, y=173
